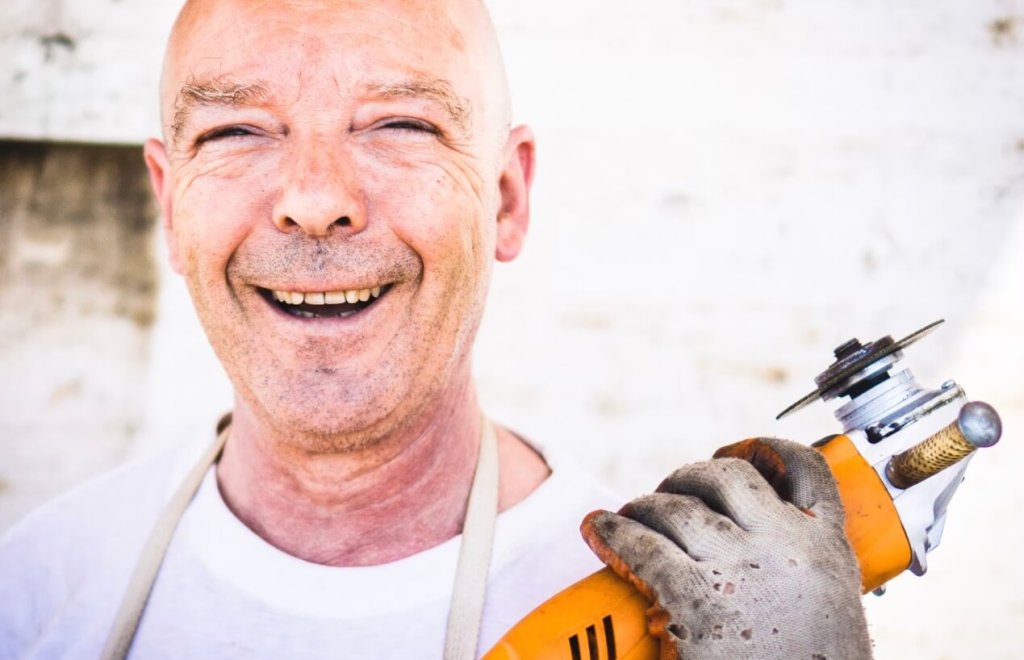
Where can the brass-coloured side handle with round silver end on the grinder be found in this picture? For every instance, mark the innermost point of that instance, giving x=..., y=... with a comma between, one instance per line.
x=977, y=426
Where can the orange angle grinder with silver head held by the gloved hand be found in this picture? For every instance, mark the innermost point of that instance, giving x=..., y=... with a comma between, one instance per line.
x=901, y=458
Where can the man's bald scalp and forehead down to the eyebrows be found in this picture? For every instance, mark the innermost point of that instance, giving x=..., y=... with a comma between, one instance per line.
x=221, y=52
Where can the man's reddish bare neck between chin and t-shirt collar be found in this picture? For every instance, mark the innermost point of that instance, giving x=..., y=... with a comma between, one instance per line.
x=396, y=498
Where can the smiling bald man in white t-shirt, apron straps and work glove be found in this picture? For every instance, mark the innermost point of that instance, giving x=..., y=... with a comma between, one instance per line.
x=336, y=180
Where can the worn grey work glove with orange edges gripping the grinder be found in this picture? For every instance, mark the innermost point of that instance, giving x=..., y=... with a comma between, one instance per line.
x=739, y=566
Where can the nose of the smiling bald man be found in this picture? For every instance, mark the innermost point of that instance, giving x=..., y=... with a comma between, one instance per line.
x=321, y=194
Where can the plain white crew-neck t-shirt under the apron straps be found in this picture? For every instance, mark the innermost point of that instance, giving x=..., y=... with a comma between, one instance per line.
x=224, y=593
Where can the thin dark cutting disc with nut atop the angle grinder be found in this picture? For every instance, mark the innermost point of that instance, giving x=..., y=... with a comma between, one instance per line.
x=858, y=368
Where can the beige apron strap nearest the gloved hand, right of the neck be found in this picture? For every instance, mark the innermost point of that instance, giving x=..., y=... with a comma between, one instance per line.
x=475, y=555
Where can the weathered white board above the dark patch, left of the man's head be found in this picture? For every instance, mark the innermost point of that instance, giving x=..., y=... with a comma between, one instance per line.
x=82, y=70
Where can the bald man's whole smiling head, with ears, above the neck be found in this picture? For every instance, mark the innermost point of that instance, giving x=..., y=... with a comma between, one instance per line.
x=336, y=182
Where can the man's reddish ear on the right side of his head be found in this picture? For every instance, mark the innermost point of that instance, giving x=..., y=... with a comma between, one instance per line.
x=517, y=178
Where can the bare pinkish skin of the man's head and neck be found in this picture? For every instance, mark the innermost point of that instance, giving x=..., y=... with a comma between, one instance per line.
x=331, y=146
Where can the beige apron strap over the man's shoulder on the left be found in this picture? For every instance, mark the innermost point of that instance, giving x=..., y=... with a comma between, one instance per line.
x=141, y=586
